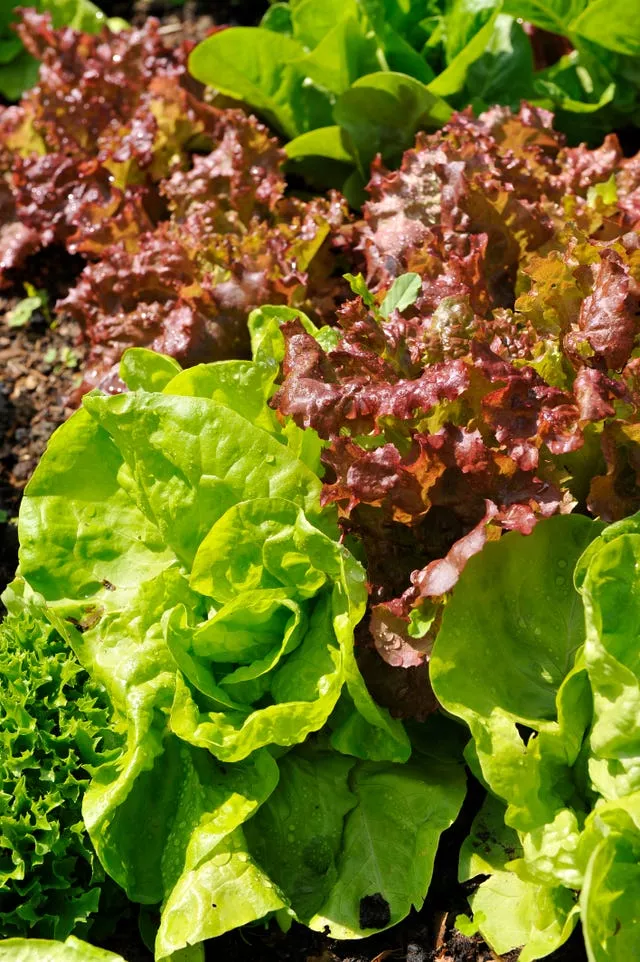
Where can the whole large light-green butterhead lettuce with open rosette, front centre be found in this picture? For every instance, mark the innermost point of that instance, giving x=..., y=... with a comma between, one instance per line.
x=176, y=538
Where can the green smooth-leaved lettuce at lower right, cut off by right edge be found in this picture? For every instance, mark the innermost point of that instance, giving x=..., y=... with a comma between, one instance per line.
x=556, y=734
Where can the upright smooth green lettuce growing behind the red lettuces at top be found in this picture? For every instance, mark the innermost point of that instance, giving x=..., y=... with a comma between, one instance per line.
x=344, y=80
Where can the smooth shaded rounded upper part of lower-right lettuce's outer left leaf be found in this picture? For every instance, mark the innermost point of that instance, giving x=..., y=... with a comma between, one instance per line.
x=536, y=572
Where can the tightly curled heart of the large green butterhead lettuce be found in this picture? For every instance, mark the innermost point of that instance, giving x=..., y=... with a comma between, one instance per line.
x=265, y=666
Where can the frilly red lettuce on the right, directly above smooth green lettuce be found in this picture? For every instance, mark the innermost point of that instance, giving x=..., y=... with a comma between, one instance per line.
x=502, y=388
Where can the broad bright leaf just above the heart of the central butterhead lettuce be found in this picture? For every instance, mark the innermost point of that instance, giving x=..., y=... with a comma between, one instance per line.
x=209, y=456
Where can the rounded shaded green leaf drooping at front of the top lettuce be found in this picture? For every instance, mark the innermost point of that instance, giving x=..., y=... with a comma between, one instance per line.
x=382, y=112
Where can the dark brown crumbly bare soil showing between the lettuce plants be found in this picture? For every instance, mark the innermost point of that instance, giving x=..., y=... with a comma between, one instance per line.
x=40, y=365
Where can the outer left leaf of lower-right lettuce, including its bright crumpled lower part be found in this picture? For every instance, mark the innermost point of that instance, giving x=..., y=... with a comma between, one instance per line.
x=538, y=682
